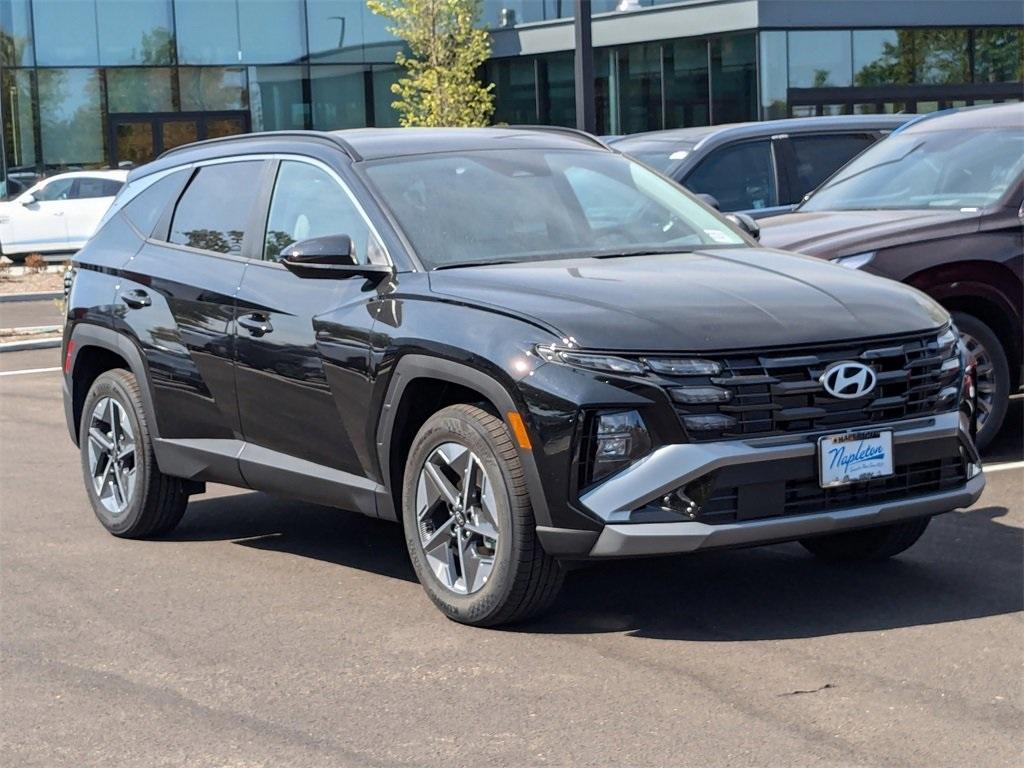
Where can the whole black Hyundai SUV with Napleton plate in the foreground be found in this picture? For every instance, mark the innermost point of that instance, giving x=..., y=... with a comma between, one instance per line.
x=527, y=348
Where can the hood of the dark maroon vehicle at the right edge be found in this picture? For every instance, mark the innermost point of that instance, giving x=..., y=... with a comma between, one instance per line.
x=832, y=234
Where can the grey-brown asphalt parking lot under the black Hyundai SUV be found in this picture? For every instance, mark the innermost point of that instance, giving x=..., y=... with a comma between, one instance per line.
x=270, y=633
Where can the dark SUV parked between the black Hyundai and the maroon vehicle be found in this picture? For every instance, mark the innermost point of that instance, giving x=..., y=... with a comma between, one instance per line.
x=763, y=168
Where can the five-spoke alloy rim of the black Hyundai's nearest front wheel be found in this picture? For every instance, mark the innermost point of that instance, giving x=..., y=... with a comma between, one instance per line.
x=457, y=519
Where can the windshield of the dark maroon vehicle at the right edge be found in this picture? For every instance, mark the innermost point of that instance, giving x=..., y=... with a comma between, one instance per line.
x=934, y=170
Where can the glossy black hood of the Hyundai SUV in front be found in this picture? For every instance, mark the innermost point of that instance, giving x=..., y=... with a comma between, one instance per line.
x=706, y=301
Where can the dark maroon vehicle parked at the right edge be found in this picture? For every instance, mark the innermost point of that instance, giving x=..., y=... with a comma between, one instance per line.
x=940, y=205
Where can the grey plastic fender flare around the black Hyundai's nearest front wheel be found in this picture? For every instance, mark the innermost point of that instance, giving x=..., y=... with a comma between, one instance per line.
x=413, y=367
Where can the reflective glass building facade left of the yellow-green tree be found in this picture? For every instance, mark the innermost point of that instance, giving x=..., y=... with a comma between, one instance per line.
x=97, y=83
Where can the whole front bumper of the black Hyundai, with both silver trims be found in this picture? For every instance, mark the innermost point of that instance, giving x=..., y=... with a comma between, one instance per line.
x=762, y=462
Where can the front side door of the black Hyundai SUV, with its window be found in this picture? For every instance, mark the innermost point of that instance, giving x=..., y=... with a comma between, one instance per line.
x=303, y=349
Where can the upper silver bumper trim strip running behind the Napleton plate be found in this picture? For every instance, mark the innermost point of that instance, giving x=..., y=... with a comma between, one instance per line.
x=672, y=466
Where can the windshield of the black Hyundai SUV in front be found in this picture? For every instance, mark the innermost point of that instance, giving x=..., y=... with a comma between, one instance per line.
x=526, y=205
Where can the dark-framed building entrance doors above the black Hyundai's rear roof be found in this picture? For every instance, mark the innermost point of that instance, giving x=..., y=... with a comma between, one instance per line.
x=139, y=139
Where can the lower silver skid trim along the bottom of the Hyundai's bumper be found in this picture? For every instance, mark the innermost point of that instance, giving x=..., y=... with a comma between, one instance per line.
x=668, y=538
